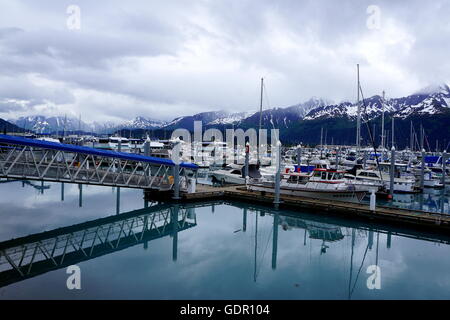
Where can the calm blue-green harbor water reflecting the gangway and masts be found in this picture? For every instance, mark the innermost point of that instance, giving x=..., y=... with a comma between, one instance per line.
x=216, y=251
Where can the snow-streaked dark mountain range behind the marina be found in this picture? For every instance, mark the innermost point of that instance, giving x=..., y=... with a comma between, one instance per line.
x=302, y=122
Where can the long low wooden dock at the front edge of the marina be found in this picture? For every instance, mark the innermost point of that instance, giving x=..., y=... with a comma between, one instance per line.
x=403, y=217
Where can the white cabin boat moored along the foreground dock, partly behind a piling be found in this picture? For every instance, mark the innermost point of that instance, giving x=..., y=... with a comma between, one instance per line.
x=320, y=184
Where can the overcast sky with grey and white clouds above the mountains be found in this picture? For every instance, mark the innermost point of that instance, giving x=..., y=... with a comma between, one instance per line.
x=163, y=59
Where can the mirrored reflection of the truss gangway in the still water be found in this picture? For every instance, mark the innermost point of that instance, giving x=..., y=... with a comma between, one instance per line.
x=36, y=254
